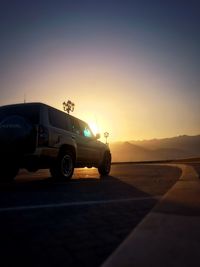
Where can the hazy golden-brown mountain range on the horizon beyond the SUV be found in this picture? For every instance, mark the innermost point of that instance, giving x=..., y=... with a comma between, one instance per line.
x=156, y=149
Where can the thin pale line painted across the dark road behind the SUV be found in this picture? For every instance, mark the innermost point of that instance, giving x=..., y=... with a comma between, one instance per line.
x=78, y=203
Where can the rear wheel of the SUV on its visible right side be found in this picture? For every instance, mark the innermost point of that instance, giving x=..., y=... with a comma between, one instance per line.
x=63, y=168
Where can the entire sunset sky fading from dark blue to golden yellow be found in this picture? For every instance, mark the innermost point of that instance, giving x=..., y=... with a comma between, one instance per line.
x=132, y=68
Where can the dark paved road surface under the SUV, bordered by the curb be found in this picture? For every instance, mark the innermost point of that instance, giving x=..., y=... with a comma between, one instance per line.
x=78, y=223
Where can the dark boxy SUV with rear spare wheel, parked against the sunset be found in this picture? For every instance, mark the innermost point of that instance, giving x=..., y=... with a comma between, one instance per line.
x=36, y=136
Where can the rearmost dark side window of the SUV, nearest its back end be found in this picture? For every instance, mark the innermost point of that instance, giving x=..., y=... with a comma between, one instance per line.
x=58, y=119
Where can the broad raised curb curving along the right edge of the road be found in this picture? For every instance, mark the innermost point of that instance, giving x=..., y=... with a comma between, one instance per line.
x=170, y=234
